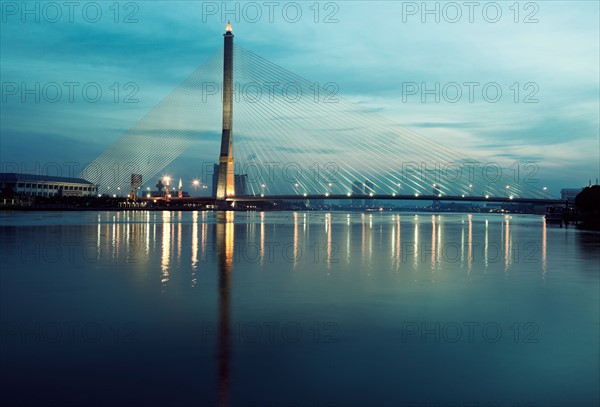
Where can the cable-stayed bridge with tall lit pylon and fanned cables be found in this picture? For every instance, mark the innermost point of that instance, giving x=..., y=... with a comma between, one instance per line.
x=292, y=138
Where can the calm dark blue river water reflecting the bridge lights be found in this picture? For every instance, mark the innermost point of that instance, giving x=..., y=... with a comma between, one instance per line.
x=297, y=309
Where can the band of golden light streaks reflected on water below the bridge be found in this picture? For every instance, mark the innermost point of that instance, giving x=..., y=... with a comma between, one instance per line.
x=179, y=241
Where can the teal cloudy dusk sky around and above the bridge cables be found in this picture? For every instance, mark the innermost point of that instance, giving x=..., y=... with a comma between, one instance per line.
x=423, y=65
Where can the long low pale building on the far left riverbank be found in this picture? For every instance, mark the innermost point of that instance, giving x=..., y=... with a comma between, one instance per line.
x=45, y=185
